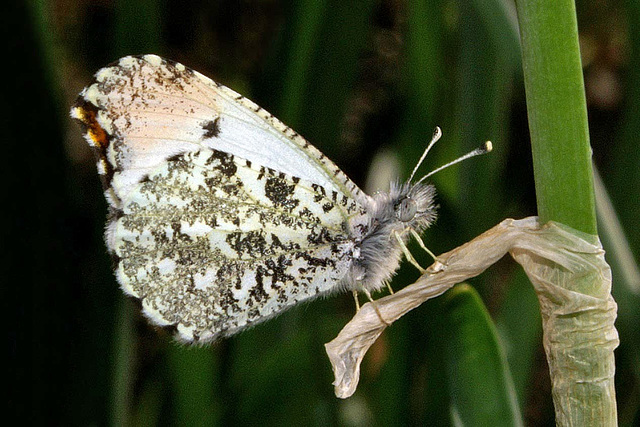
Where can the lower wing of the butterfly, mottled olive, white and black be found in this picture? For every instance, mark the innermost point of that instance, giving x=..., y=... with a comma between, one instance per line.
x=212, y=243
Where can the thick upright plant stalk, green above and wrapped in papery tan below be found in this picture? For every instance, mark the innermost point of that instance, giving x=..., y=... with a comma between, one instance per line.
x=579, y=349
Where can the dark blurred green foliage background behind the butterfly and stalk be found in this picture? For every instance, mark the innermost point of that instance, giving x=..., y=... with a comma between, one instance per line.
x=355, y=78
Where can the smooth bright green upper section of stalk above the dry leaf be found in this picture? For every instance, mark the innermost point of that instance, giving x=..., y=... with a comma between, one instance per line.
x=557, y=113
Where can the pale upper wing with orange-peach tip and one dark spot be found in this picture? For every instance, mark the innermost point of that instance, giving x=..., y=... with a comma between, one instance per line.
x=144, y=110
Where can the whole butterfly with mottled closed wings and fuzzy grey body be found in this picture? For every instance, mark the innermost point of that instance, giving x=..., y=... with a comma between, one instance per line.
x=221, y=216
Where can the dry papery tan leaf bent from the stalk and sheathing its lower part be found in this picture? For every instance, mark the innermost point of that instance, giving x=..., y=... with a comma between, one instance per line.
x=573, y=283
